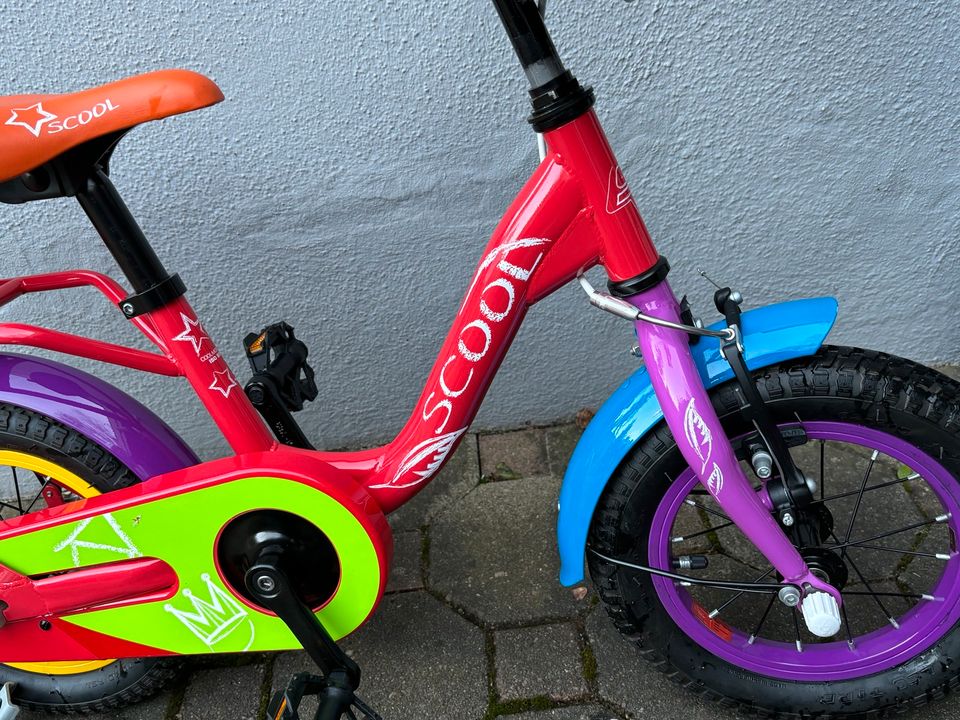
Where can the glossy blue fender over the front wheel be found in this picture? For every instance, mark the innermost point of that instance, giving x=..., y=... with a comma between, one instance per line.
x=771, y=334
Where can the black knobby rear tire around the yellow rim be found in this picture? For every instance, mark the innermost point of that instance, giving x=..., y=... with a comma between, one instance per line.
x=122, y=682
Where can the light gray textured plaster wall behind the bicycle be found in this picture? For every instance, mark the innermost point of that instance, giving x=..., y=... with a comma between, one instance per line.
x=352, y=178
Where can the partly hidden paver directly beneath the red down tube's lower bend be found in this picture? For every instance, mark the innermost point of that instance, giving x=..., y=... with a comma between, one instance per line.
x=458, y=477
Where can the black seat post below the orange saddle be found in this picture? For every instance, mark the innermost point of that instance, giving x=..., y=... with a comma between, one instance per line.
x=120, y=232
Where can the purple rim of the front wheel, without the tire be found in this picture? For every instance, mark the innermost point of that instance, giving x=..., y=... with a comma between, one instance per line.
x=884, y=648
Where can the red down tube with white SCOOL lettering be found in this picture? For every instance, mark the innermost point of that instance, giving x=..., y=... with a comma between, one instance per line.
x=538, y=246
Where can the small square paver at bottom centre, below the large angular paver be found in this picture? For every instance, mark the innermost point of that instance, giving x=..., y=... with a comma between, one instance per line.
x=540, y=661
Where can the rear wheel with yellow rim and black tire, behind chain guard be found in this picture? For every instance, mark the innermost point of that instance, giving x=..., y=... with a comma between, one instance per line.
x=43, y=463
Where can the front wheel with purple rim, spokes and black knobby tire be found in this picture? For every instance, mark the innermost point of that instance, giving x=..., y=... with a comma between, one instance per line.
x=881, y=436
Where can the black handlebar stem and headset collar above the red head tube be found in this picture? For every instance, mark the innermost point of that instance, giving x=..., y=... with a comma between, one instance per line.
x=556, y=95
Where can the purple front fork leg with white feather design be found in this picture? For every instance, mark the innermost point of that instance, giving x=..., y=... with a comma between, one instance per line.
x=701, y=439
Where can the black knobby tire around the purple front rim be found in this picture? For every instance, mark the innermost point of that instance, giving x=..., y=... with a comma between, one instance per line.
x=837, y=384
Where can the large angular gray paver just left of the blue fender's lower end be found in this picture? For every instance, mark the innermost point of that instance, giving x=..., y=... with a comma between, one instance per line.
x=494, y=554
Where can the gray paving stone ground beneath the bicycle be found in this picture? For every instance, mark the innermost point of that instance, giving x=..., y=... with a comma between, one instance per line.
x=475, y=625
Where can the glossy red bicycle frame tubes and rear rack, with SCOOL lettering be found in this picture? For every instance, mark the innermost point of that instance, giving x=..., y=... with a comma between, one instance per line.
x=575, y=211
